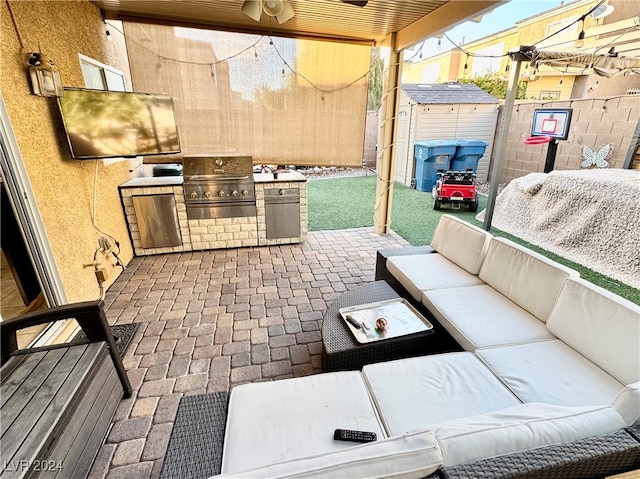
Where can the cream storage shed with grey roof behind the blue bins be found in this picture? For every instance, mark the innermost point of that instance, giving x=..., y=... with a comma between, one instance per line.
x=443, y=111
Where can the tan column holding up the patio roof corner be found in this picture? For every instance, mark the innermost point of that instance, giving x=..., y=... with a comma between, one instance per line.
x=385, y=160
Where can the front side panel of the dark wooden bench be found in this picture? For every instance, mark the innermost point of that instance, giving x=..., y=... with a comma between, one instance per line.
x=78, y=440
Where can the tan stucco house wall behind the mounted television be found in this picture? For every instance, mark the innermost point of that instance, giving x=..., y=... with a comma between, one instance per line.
x=63, y=187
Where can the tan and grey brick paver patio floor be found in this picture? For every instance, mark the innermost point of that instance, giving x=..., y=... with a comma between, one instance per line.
x=211, y=320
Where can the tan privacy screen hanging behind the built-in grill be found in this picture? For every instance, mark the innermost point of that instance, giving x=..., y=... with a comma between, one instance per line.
x=282, y=101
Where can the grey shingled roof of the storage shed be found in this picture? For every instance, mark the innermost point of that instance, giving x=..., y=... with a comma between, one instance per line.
x=447, y=93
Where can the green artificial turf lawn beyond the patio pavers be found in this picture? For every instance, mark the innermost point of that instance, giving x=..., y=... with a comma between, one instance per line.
x=342, y=203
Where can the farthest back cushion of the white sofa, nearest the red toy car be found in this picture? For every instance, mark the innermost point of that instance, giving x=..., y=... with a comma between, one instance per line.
x=460, y=242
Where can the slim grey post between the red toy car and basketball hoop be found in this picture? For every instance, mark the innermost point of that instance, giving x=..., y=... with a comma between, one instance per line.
x=505, y=121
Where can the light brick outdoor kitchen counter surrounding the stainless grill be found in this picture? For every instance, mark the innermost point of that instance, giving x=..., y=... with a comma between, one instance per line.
x=191, y=236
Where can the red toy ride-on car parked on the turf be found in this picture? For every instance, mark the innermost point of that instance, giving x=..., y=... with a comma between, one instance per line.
x=455, y=187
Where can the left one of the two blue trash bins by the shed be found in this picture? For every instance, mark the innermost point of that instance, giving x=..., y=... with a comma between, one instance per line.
x=431, y=156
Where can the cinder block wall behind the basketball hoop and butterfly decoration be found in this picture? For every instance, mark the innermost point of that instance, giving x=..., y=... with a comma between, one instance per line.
x=595, y=122
